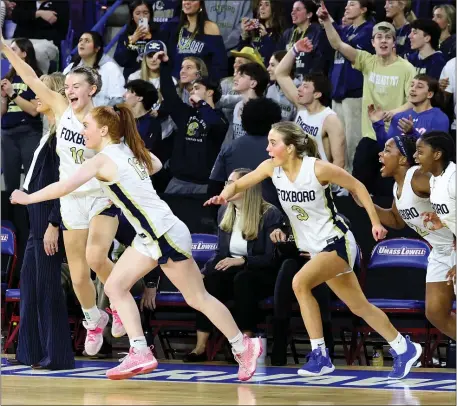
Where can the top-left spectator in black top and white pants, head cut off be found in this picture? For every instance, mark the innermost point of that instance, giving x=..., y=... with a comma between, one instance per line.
x=45, y=23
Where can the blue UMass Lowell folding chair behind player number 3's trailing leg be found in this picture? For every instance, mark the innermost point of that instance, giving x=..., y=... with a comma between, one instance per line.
x=384, y=288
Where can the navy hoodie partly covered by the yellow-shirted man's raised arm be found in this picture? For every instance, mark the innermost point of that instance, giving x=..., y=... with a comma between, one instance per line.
x=347, y=81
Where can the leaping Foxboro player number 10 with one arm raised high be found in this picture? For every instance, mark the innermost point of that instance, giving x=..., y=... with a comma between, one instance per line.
x=89, y=221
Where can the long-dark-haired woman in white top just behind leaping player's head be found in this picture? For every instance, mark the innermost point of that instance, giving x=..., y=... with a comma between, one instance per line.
x=90, y=54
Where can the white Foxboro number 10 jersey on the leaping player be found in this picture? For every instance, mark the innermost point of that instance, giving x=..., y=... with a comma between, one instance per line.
x=72, y=150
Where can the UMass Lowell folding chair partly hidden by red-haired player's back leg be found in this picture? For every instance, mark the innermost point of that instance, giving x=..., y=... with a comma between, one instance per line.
x=172, y=301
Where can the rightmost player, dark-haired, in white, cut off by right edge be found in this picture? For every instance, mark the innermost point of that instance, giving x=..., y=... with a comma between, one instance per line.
x=436, y=154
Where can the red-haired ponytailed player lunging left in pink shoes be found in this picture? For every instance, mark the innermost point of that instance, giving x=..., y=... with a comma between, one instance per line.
x=123, y=169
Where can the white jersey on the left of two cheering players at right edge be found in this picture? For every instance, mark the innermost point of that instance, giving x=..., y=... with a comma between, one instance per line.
x=410, y=207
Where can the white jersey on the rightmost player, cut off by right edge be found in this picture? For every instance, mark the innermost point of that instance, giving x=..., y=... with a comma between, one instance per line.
x=442, y=196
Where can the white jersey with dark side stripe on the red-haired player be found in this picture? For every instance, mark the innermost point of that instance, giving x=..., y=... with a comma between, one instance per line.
x=134, y=194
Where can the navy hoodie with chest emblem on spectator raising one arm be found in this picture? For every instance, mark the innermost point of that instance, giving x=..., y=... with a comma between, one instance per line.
x=199, y=136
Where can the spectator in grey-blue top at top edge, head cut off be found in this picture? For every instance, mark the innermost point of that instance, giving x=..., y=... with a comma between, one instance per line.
x=228, y=15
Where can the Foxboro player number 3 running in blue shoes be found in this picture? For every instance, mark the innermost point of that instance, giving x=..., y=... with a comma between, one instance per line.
x=302, y=184
